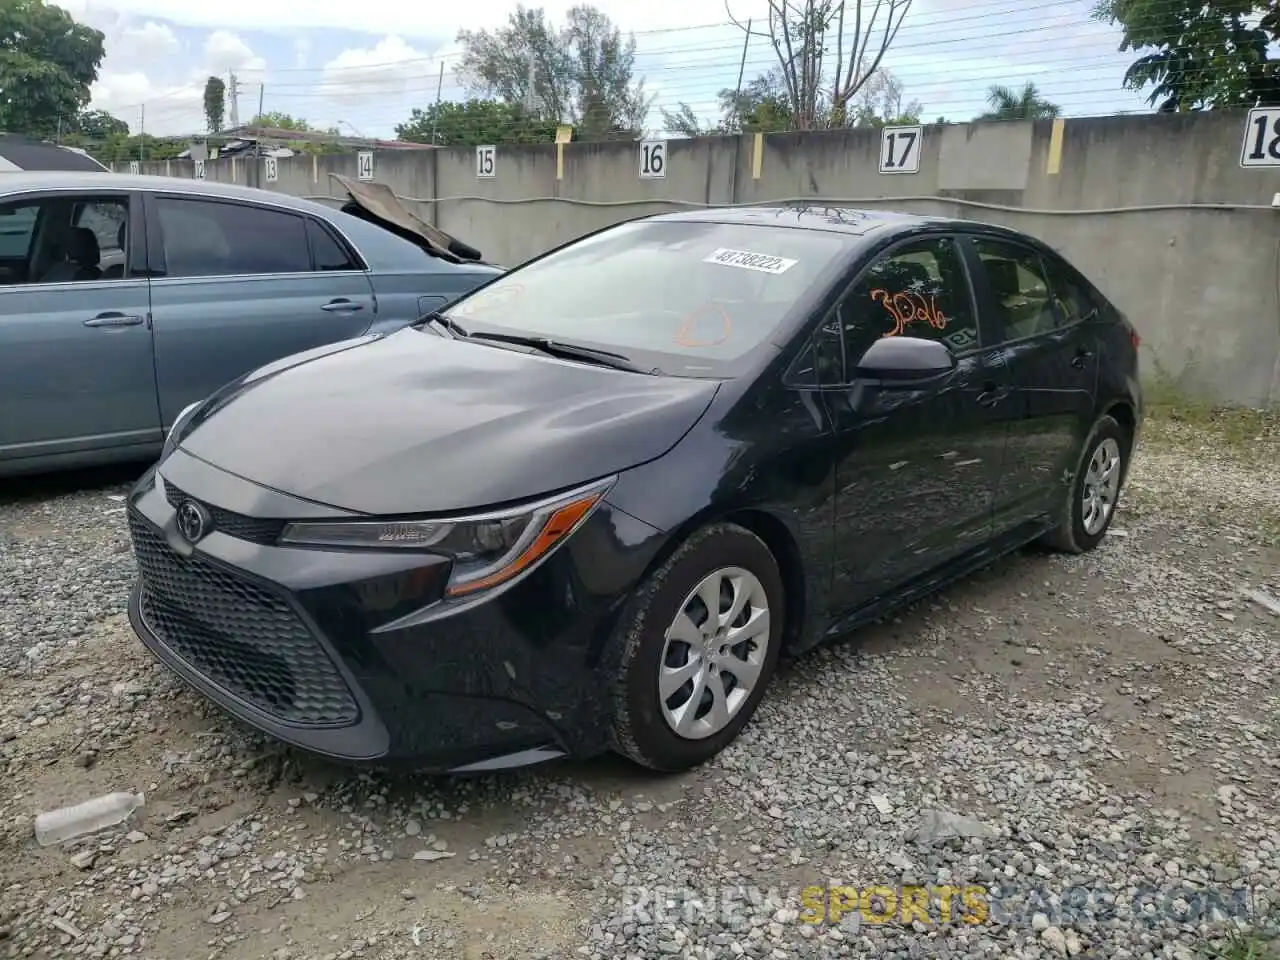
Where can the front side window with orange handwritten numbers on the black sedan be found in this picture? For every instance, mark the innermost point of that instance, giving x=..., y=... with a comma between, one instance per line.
x=918, y=290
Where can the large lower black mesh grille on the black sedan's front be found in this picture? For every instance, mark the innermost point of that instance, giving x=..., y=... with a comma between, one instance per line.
x=240, y=636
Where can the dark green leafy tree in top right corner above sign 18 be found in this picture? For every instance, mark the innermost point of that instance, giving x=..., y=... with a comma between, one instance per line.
x=1201, y=54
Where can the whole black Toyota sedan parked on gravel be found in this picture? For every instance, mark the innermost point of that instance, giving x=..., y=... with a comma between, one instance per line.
x=592, y=504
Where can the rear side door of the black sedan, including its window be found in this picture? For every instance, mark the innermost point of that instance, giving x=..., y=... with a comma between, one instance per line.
x=1052, y=351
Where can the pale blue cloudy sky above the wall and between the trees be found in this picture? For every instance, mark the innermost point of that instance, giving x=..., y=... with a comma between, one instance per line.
x=364, y=67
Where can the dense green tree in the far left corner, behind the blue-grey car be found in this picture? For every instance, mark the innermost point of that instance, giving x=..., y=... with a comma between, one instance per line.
x=48, y=62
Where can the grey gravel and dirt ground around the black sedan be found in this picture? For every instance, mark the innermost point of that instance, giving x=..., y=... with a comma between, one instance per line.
x=1084, y=751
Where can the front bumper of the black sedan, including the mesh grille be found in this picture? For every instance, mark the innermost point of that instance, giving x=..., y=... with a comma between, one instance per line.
x=349, y=653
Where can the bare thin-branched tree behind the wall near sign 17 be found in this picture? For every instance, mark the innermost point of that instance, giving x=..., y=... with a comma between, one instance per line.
x=804, y=35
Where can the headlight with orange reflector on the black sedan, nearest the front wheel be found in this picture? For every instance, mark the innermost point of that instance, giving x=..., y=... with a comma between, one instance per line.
x=488, y=550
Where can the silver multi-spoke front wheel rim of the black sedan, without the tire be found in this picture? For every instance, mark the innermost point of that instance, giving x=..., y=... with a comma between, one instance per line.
x=714, y=653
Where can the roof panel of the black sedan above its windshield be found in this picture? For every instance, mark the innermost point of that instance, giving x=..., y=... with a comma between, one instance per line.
x=831, y=218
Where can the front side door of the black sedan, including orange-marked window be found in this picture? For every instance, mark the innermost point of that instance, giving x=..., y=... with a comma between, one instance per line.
x=917, y=464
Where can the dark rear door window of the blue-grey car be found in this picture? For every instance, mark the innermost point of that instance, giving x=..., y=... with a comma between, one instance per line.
x=212, y=239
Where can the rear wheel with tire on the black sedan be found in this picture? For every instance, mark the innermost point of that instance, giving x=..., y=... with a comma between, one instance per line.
x=1095, y=492
